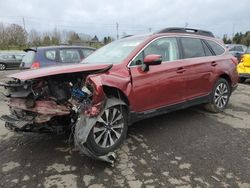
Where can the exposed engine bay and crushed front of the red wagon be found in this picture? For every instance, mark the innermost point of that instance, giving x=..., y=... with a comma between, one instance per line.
x=46, y=104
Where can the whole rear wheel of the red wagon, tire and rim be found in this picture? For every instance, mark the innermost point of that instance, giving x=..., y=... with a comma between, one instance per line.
x=219, y=100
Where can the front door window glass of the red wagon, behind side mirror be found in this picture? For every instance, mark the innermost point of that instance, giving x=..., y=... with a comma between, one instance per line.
x=166, y=47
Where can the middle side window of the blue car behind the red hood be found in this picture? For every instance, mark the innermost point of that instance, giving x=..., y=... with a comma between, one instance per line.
x=69, y=55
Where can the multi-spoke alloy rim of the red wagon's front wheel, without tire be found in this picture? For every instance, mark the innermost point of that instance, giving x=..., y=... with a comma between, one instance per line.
x=109, y=128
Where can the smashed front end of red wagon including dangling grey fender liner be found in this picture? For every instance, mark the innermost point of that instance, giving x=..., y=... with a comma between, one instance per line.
x=58, y=103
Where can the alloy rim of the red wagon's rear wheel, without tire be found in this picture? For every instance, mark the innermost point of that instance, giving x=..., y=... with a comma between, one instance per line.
x=221, y=95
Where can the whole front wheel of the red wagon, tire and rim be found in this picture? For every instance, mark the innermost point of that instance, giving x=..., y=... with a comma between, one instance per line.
x=109, y=131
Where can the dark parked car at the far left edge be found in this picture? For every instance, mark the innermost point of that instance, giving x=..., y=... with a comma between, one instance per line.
x=10, y=61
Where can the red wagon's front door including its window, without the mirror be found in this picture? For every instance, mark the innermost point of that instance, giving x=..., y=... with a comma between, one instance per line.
x=161, y=85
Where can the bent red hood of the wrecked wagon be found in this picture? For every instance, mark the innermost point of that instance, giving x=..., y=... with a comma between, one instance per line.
x=48, y=71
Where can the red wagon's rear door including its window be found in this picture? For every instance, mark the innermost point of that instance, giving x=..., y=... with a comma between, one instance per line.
x=198, y=62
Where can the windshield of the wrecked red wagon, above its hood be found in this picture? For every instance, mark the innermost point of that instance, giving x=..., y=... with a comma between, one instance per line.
x=115, y=52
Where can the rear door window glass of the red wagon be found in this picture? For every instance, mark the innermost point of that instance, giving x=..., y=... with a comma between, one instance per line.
x=192, y=48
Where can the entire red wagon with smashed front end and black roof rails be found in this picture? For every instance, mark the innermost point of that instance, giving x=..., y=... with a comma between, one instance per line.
x=125, y=81
